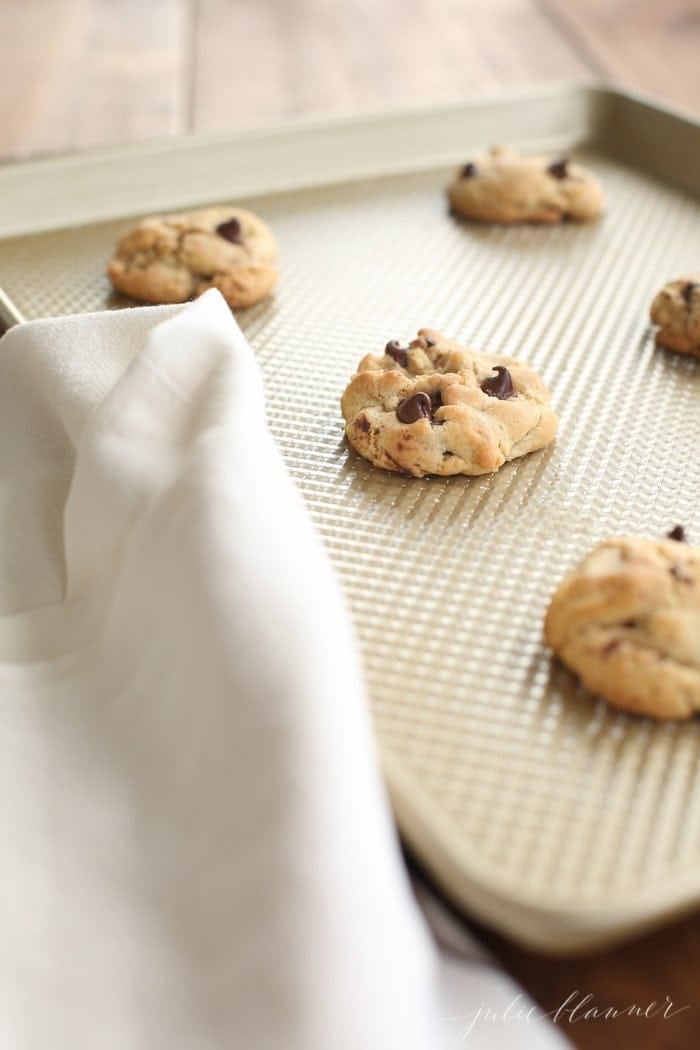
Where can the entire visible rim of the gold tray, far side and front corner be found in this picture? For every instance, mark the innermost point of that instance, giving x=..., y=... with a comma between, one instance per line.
x=585, y=113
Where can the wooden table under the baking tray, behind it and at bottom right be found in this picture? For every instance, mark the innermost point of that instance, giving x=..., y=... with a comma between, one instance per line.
x=86, y=73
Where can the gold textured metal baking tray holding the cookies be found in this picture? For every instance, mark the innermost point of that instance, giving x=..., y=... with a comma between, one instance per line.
x=537, y=808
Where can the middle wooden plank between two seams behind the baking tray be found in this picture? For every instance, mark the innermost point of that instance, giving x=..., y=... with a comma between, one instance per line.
x=260, y=59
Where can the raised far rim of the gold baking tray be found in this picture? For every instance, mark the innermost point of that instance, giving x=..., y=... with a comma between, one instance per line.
x=310, y=153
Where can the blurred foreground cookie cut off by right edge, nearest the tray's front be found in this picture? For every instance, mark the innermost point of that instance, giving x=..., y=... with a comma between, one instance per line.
x=627, y=621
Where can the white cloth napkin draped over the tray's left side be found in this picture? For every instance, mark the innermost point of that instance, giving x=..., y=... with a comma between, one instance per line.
x=197, y=848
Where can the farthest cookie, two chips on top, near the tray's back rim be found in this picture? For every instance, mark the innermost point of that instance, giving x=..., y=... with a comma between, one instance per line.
x=501, y=186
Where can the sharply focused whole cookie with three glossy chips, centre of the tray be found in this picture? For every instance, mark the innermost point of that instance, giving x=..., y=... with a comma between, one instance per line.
x=438, y=408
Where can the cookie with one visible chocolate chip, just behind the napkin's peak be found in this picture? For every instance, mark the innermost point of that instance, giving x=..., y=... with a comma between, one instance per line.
x=173, y=259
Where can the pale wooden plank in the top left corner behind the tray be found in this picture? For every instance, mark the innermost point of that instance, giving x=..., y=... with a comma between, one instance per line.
x=82, y=73
